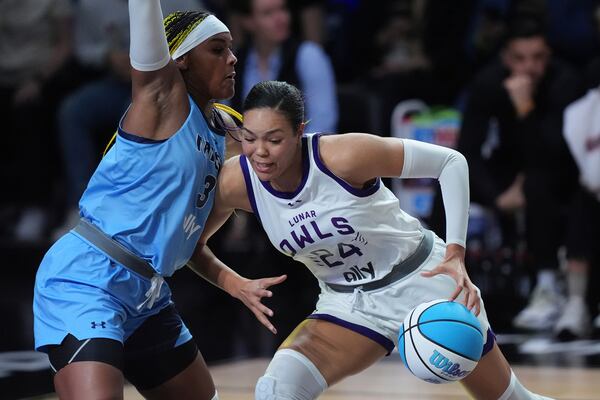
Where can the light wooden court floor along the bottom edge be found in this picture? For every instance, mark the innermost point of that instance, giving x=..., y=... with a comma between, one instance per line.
x=390, y=380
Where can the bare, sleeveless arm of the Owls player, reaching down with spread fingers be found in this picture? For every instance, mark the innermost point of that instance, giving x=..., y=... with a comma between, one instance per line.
x=230, y=195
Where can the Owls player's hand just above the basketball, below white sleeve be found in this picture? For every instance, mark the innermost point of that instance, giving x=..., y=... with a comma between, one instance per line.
x=455, y=267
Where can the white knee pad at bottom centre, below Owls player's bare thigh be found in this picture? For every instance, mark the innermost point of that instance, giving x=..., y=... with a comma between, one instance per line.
x=290, y=376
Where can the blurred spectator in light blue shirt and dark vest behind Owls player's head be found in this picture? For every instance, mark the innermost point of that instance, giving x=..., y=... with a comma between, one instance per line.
x=272, y=53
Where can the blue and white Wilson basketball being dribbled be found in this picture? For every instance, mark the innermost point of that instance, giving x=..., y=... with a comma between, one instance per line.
x=440, y=341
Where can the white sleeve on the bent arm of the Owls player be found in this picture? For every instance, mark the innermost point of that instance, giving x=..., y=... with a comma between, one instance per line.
x=424, y=160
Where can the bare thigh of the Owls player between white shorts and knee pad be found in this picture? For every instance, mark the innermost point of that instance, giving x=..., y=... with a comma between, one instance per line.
x=336, y=351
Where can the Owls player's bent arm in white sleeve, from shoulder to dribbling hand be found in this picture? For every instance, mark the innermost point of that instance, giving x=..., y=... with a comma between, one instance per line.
x=364, y=157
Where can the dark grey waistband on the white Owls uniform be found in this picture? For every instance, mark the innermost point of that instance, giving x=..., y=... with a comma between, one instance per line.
x=399, y=271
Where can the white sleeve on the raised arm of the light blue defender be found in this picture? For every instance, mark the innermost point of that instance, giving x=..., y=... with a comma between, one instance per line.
x=148, y=50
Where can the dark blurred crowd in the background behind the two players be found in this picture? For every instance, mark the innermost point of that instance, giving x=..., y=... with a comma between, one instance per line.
x=493, y=78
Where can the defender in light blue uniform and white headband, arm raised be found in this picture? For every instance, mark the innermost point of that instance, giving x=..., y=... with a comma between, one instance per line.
x=102, y=310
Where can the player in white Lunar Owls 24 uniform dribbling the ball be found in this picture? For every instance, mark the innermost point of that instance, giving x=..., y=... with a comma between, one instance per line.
x=321, y=201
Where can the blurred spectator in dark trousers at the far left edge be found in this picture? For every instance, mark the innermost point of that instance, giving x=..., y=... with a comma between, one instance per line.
x=35, y=49
